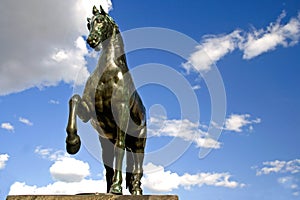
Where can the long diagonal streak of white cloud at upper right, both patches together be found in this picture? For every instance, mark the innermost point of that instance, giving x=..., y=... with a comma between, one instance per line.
x=253, y=43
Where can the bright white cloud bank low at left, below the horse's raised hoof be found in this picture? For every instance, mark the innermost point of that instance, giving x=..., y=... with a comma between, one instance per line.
x=69, y=174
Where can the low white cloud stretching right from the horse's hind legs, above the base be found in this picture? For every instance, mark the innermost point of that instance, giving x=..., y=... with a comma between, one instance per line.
x=157, y=179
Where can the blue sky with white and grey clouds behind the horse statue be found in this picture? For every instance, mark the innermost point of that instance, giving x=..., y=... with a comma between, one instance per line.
x=206, y=57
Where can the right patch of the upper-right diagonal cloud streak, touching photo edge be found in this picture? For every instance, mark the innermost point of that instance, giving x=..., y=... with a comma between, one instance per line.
x=261, y=41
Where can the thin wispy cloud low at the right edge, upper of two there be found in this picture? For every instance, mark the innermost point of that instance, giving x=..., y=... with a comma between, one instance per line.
x=277, y=166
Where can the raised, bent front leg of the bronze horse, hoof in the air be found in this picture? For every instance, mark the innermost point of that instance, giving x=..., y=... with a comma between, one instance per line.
x=80, y=108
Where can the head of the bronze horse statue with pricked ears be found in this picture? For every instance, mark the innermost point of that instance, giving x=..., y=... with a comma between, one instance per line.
x=101, y=27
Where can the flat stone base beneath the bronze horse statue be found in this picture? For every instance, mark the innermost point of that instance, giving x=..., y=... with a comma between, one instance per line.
x=92, y=197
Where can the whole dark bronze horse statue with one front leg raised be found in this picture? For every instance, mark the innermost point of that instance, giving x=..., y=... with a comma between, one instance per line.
x=113, y=106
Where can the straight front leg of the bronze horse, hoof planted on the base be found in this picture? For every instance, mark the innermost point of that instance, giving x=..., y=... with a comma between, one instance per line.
x=122, y=115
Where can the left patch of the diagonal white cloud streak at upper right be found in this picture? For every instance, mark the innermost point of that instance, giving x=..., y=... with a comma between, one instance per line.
x=212, y=49
